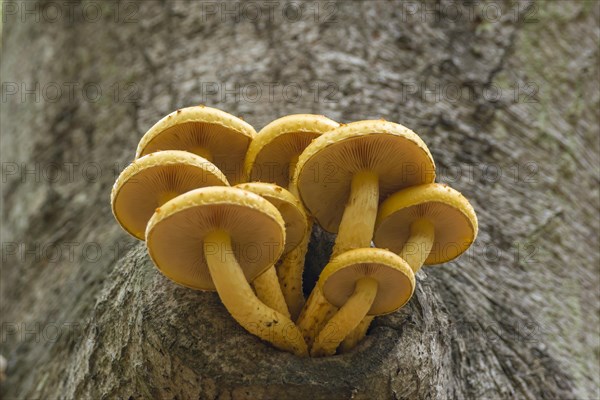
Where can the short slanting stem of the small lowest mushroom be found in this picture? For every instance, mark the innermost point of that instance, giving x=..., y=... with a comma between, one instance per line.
x=346, y=319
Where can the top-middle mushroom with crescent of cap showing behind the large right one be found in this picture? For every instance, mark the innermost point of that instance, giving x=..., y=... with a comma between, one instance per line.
x=272, y=157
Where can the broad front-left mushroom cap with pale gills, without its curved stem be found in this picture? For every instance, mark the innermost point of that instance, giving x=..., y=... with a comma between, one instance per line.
x=176, y=232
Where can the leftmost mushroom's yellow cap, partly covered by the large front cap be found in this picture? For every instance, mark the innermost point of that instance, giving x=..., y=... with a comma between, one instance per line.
x=139, y=189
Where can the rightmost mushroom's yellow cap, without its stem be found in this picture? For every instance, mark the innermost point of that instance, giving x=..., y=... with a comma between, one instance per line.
x=452, y=215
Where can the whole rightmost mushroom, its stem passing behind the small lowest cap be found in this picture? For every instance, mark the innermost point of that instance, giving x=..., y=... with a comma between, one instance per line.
x=425, y=224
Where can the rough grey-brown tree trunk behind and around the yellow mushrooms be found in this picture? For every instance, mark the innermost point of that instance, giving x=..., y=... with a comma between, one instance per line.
x=506, y=96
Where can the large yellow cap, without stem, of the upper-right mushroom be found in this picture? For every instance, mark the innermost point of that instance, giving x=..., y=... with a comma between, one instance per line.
x=325, y=169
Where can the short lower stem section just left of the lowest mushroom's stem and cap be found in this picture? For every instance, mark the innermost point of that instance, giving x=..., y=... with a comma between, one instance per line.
x=314, y=315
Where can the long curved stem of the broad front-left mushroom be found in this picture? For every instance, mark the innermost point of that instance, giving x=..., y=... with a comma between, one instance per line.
x=241, y=302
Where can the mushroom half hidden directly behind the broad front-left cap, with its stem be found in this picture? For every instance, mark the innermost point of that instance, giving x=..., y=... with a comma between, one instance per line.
x=267, y=285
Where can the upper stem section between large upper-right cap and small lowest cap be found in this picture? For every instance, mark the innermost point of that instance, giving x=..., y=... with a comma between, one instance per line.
x=358, y=221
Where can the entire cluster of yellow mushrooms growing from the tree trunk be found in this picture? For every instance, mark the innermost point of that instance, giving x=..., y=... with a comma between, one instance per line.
x=223, y=208
